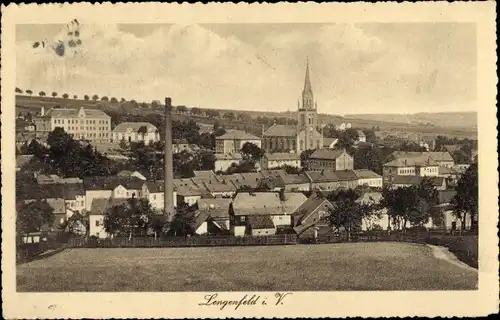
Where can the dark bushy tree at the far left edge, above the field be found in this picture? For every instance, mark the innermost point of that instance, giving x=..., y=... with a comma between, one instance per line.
x=32, y=216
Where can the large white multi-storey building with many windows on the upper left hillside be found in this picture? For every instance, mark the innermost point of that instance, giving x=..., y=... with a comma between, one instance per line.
x=84, y=124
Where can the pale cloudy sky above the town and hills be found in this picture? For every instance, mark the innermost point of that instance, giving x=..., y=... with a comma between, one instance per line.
x=355, y=68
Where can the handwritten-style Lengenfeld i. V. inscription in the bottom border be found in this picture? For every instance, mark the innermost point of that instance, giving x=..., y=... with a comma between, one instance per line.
x=214, y=300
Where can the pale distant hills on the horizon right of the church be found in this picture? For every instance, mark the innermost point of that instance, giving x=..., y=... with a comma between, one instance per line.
x=440, y=119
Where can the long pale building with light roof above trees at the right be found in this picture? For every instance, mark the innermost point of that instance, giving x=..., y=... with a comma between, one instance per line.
x=409, y=166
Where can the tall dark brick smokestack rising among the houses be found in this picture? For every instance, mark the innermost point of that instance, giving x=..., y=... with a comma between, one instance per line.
x=168, y=206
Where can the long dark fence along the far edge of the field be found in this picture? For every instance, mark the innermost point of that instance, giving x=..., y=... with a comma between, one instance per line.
x=204, y=241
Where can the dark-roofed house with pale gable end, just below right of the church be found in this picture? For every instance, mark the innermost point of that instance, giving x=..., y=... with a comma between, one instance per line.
x=328, y=159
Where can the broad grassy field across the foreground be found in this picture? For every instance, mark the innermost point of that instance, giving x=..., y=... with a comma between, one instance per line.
x=356, y=266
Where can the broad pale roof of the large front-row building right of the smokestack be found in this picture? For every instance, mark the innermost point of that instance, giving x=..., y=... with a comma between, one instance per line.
x=262, y=203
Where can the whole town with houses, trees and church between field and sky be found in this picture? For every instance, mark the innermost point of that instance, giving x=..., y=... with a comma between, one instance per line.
x=87, y=174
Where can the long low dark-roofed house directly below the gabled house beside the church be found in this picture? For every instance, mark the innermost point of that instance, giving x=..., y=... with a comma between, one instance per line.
x=326, y=180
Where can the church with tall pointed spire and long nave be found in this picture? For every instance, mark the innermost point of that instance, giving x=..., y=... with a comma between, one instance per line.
x=305, y=135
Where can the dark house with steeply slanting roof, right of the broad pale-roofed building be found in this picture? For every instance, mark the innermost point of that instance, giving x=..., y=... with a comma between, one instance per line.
x=312, y=216
